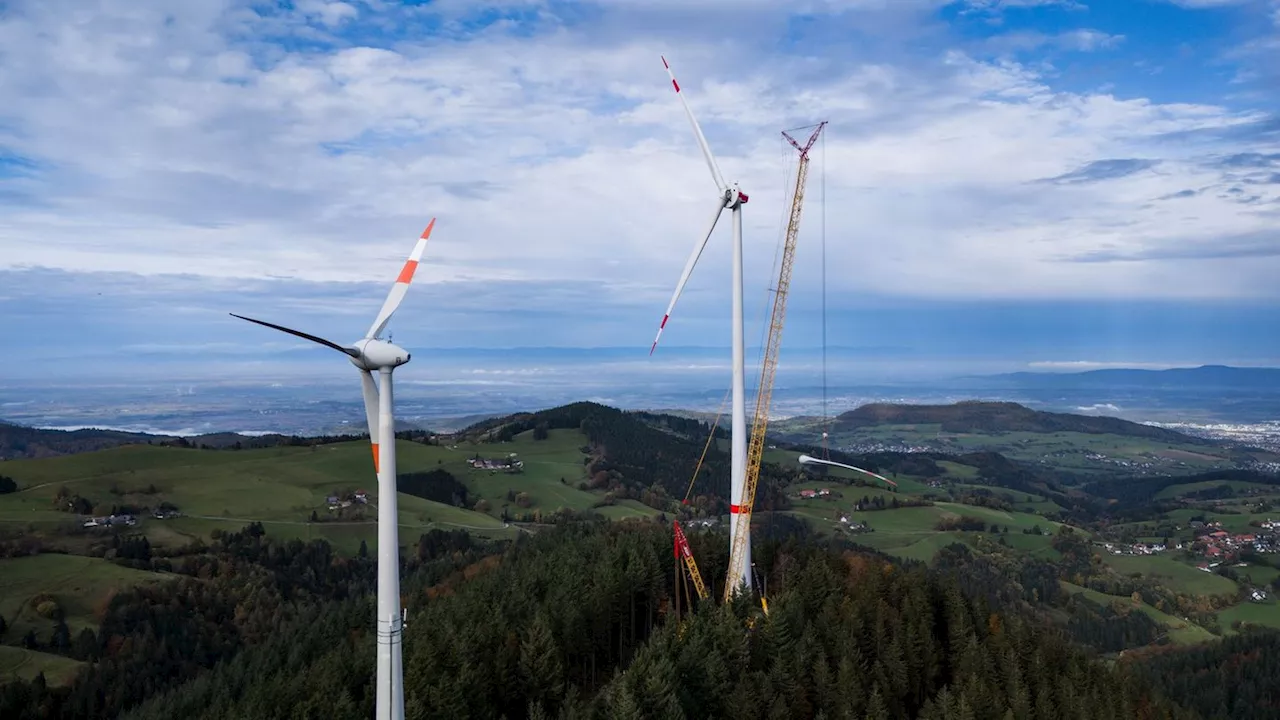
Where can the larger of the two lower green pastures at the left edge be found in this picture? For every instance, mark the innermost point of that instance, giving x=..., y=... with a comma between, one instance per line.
x=79, y=585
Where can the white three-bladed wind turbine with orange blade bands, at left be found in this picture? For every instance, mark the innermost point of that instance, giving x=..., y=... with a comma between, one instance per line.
x=372, y=354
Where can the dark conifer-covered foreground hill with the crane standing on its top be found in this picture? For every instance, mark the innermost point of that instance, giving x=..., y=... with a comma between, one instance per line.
x=577, y=623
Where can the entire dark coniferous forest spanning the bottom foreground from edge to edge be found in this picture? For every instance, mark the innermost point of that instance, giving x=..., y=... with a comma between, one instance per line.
x=578, y=622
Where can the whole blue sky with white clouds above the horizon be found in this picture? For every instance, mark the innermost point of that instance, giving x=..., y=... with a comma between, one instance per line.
x=1041, y=183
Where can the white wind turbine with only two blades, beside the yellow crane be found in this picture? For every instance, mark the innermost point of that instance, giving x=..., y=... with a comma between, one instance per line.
x=732, y=198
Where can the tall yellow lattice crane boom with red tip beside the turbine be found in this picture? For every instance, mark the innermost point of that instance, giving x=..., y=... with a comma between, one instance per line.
x=769, y=368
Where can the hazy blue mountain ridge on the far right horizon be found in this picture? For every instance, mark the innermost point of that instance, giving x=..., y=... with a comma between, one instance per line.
x=1201, y=377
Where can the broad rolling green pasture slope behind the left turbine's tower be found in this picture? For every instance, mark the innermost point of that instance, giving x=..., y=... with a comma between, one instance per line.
x=282, y=486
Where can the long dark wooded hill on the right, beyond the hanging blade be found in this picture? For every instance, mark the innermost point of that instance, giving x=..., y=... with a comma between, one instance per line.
x=973, y=416
